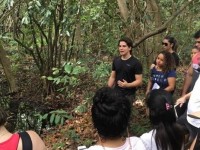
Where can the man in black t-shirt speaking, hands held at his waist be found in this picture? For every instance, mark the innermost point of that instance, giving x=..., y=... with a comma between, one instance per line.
x=126, y=73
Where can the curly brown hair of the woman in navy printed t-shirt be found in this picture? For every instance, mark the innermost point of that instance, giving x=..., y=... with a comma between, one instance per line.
x=169, y=62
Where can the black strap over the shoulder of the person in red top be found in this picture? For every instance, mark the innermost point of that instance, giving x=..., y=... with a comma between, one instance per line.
x=26, y=141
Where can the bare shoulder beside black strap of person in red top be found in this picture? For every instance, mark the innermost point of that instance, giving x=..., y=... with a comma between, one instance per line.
x=37, y=142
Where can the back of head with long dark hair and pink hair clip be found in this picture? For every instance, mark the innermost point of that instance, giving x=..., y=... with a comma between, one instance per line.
x=162, y=117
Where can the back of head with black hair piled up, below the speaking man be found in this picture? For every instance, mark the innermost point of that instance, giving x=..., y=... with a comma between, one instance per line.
x=110, y=113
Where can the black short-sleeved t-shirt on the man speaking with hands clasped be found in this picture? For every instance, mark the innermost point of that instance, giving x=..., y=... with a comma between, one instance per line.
x=126, y=69
